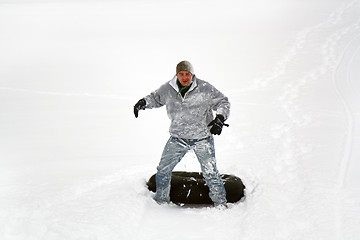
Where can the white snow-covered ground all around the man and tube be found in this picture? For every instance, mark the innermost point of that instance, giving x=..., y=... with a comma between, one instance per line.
x=74, y=160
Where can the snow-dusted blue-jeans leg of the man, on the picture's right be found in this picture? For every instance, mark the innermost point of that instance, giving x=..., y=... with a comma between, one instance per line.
x=205, y=152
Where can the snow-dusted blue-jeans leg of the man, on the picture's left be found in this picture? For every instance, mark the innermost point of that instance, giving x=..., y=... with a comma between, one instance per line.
x=174, y=151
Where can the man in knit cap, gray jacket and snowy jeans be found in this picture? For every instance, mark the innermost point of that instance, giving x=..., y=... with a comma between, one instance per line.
x=190, y=103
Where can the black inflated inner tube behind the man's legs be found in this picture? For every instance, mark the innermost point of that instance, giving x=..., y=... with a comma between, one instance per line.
x=190, y=188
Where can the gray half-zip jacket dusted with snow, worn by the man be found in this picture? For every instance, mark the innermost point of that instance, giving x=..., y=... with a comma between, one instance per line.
x=190, y=114
